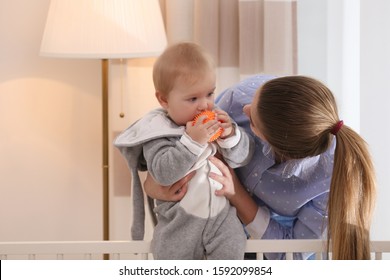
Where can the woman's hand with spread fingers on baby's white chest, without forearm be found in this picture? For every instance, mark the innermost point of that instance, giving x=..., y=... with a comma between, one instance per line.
x=225, y=179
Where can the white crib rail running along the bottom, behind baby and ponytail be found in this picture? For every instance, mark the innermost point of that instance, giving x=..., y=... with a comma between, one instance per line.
x=141, y=249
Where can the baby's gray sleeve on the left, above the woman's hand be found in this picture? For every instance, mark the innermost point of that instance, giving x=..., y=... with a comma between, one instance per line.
x=168, y=160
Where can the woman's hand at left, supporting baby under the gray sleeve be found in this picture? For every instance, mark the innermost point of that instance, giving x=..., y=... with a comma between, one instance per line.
x=173, y=193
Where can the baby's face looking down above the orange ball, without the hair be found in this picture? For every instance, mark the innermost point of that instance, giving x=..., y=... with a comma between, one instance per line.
x=187, y=99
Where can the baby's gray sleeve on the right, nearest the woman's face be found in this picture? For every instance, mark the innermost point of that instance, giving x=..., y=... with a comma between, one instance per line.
x=240, y=154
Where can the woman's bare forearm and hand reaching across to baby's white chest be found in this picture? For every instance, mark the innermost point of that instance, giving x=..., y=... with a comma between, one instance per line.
x=234, y=191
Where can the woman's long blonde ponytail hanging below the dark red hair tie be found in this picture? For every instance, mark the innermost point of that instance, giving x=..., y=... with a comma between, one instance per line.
x=351, y=198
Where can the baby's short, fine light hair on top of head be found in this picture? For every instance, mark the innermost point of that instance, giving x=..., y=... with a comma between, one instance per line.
x=181, y=60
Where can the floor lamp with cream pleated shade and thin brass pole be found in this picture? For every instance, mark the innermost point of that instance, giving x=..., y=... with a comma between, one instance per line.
x=104, y=29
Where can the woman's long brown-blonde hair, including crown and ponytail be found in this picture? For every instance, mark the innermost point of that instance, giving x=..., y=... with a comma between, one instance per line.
x=297, y=115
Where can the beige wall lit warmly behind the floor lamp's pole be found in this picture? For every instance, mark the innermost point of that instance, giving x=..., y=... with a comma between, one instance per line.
x=50, y=126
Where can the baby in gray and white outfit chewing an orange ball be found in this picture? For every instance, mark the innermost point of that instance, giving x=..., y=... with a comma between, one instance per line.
x=169, y=144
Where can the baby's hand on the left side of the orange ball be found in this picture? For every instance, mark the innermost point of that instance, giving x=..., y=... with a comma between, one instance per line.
x=201, y=132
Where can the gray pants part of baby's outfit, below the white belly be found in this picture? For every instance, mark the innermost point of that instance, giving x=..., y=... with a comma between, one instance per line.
x=182, y=236
